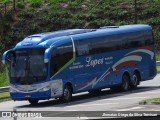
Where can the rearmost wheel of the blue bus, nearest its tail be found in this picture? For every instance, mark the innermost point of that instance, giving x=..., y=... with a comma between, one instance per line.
x=135, y=80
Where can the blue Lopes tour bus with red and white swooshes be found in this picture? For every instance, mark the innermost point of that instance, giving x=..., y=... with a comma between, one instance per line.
x=58, y=64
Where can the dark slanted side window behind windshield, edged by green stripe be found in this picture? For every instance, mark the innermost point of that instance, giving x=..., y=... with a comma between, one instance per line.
x=60, y=57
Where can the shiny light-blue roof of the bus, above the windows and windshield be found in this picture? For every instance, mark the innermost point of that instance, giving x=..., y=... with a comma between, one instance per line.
x=77, y=34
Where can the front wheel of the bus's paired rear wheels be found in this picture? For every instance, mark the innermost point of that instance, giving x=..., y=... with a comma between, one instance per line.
x=125, y=82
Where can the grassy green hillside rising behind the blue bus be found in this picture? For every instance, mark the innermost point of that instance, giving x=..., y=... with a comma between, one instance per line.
x=36, y=16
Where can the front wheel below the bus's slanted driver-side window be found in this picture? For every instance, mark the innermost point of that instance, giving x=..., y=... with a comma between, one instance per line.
x=67, y=95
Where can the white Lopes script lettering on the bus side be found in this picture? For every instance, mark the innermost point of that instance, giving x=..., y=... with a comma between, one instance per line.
x=93, y=62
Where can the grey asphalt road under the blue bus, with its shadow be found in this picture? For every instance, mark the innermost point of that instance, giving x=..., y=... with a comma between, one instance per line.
x=106, y=101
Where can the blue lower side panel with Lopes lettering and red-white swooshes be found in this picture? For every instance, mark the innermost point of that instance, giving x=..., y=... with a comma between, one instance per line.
x=104, y=70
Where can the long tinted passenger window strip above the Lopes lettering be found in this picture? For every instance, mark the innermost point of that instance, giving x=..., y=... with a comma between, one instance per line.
x=113, y=42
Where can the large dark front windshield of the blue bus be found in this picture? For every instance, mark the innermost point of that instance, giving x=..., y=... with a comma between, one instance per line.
x=27, y=66
